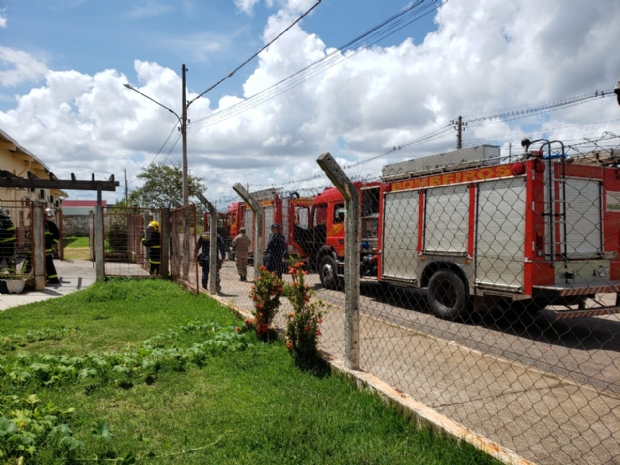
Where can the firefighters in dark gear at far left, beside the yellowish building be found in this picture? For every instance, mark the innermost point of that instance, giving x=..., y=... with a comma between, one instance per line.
x=8, y=240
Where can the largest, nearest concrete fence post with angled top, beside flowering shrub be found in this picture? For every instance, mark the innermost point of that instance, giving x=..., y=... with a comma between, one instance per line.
x=351, y=256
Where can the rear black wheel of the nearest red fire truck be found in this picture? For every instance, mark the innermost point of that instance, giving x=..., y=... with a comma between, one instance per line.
x=447, y=296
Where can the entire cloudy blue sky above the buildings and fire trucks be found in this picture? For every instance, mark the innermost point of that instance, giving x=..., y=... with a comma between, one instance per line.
x=356, y=78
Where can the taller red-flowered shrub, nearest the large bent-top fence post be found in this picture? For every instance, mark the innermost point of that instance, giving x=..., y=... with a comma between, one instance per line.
x=302, y=328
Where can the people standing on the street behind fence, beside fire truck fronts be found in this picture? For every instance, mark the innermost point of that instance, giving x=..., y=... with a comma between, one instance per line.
x=274, y=259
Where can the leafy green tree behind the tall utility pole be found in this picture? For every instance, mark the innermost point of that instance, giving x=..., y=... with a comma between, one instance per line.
x=163, y=186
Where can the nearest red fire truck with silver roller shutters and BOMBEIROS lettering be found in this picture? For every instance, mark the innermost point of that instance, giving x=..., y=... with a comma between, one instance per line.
x=535, y=232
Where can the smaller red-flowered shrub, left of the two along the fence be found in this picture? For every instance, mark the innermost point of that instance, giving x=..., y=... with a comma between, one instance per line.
x=265, y=292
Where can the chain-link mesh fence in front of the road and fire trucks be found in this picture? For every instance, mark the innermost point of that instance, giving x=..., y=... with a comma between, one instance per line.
x=487, y=290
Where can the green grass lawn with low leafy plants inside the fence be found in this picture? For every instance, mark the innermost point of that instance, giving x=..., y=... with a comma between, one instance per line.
x=157, y=375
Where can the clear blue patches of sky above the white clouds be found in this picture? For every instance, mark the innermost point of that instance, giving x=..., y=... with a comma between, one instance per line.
x=210, y=38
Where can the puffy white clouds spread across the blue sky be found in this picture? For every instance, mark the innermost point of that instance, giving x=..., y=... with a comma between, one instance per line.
x=484, y=56
